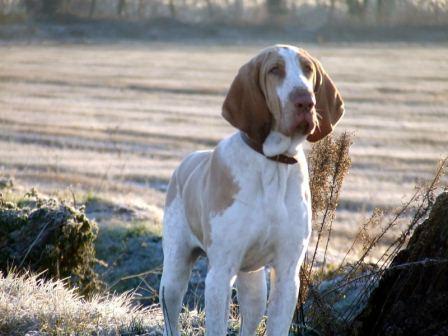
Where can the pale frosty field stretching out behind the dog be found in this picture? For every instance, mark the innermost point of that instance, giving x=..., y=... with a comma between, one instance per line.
x=116, y=119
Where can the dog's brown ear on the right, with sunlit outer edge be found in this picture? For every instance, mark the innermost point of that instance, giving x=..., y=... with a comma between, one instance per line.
x=329, y=103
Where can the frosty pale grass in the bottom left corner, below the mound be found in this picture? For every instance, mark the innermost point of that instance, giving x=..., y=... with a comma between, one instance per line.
x=47, y=307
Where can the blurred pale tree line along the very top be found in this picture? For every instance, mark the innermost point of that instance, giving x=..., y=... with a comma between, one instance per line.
x=361, y=11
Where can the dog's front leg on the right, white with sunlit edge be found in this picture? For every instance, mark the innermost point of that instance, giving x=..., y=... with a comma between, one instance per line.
x=285, y=283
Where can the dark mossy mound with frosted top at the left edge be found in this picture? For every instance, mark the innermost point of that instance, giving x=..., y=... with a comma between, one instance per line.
x=45, y=235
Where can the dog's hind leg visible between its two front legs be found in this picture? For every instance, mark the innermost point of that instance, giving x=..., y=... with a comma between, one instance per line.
x=252, y=297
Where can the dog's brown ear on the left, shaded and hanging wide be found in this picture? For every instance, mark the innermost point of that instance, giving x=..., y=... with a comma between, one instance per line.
x=245, y=105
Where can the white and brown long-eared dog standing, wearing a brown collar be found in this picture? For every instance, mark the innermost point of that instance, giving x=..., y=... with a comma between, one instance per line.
x=246, y=203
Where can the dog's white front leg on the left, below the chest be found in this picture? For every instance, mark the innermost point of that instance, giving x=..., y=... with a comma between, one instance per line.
x=217, y=298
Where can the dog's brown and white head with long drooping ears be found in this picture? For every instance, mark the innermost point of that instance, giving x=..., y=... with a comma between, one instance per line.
x=283, y=94
